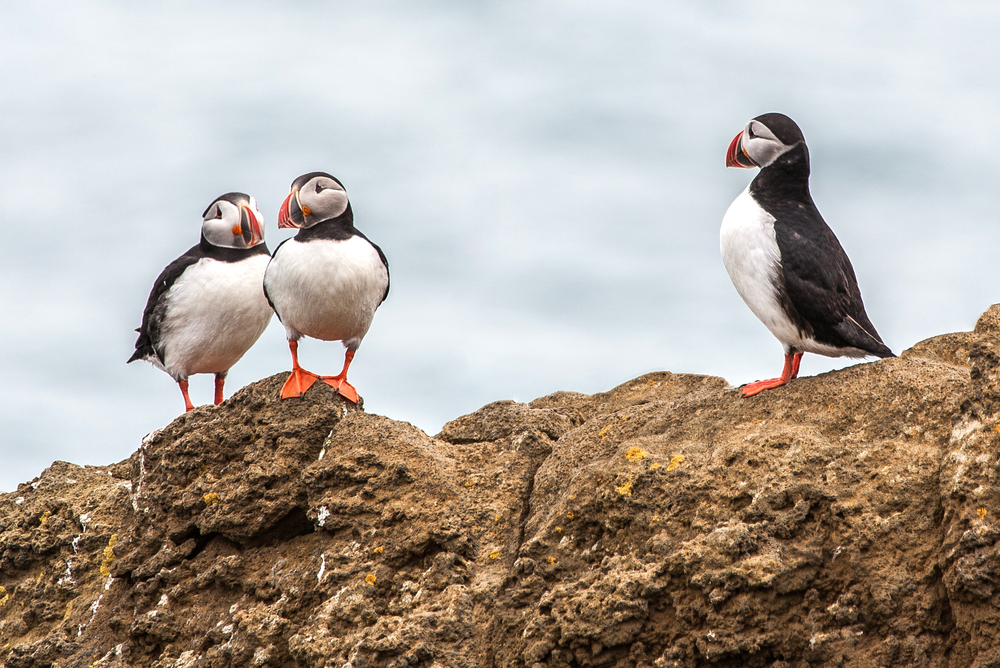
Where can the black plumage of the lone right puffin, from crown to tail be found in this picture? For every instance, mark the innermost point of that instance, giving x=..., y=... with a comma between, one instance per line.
x=817, y=286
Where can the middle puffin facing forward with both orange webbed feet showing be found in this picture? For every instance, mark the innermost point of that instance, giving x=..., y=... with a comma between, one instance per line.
x=327, y=280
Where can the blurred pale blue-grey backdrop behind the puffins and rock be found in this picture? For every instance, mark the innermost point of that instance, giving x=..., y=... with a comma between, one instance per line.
x=546, y=178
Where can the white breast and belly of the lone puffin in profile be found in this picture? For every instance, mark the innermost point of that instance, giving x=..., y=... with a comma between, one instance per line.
x=751, y=256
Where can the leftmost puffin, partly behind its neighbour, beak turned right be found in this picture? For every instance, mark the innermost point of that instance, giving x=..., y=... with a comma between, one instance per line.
x=207, y=308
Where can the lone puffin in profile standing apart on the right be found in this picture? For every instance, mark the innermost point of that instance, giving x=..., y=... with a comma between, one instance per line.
x=784, y=260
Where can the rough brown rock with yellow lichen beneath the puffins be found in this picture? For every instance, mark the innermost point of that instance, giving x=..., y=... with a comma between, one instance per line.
x=850, y=519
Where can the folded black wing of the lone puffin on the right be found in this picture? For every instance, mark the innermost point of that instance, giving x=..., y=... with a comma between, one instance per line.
x=820, y=290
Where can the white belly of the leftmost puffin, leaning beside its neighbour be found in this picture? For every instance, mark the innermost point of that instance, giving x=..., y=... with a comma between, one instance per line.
x=215, y=312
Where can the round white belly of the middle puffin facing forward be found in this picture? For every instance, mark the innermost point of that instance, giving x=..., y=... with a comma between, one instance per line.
x=327, y=289
